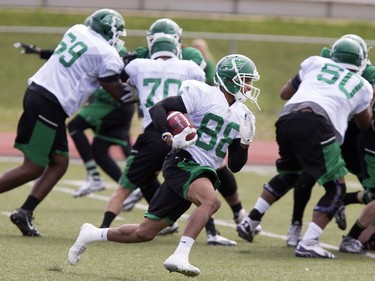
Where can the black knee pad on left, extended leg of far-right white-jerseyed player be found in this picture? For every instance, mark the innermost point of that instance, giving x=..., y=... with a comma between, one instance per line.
x=279, y=185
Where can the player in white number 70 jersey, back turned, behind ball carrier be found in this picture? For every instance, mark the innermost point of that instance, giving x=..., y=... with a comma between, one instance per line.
x=153, y=84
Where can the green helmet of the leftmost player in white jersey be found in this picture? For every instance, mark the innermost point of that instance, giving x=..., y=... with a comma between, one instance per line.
x=108, y=23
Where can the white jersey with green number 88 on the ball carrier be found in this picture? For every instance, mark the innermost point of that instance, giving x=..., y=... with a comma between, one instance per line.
x=217, y=123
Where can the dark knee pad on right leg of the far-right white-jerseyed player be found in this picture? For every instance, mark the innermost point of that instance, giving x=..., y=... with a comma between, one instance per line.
x=331, y=200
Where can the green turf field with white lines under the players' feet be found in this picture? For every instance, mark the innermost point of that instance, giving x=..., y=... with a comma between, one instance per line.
x=60, y=215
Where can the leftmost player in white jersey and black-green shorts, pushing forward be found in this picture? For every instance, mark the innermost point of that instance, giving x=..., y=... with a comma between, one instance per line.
x=84, y=60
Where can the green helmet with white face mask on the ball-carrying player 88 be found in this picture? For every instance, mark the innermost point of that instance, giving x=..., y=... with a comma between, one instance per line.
x=233, y=73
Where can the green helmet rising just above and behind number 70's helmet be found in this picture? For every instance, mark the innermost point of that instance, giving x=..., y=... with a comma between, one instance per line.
x=164, y=26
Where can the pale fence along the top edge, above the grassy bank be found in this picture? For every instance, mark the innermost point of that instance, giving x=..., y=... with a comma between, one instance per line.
x=346, y=9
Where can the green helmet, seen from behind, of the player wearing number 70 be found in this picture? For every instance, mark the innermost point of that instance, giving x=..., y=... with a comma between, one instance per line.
x=164, y=45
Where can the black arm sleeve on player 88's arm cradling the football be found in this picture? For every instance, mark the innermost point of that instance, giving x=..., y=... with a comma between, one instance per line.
x=159, y=111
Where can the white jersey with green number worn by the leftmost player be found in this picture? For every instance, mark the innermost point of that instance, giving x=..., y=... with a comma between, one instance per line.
x=72, y=72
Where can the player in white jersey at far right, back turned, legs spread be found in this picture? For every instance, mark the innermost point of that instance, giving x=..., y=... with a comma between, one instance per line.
x=309, y=132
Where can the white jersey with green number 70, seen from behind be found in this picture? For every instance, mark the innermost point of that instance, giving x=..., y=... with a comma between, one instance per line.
x=158, y=79
